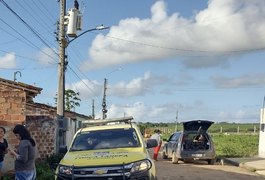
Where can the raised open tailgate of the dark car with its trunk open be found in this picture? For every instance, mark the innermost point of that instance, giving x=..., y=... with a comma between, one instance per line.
x=197, y=125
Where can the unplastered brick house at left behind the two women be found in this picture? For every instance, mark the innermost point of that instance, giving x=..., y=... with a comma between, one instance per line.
x=18, y=107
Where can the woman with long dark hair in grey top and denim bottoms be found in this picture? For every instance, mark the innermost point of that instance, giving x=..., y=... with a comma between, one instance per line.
x=25, y=154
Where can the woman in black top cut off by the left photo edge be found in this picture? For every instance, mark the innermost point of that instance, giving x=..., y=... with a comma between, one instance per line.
x=3, y=148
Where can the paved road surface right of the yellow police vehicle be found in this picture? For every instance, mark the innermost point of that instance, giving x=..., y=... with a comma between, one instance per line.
x=202, y=171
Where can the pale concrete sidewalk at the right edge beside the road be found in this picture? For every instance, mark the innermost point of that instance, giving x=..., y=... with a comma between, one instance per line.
x=255, y=164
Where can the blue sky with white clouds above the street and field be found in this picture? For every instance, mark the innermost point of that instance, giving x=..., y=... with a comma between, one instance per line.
x=164, y=60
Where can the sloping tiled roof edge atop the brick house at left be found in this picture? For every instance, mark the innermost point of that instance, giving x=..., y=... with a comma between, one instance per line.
x=32, y=90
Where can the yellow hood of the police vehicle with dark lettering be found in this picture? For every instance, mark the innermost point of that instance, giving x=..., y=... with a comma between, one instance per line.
x=103, y=157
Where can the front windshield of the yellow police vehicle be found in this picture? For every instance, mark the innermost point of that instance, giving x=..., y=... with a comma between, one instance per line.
x=105, y=139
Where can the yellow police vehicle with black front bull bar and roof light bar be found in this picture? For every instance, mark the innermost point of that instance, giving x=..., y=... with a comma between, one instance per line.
x=109, y=149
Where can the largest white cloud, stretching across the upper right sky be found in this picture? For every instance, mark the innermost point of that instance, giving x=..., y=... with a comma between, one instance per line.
x=227, y=25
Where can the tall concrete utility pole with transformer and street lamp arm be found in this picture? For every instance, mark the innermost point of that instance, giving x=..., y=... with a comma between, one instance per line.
x=73, y=22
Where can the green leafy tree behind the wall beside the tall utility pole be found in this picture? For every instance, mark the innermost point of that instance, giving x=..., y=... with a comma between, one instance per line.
x=71, y=99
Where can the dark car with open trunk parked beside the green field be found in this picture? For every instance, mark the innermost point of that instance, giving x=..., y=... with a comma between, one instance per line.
x=193, y=143
